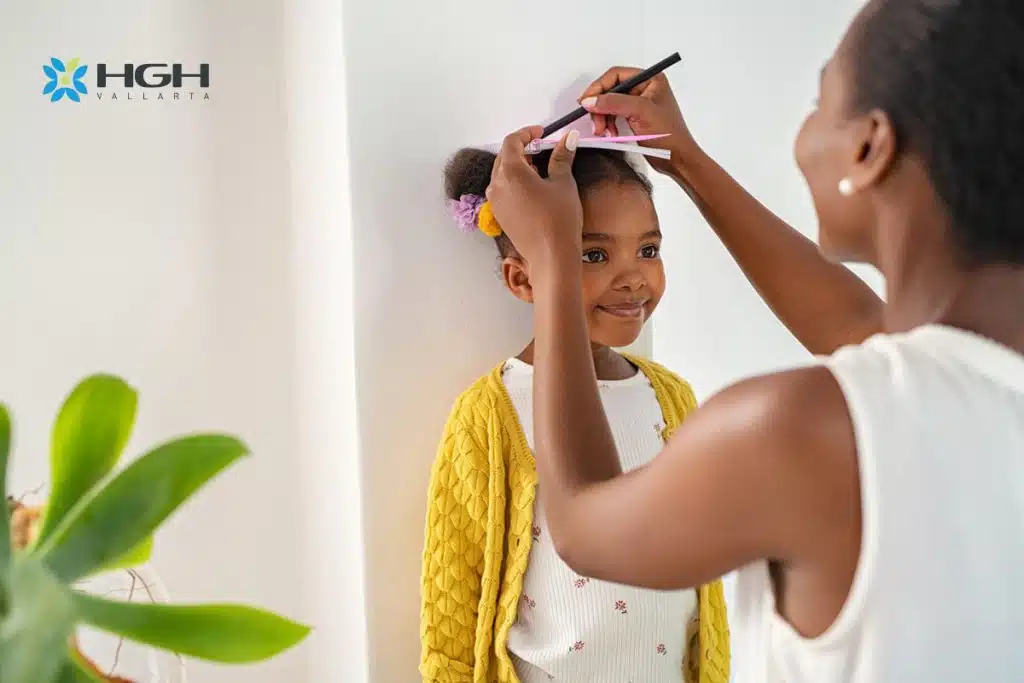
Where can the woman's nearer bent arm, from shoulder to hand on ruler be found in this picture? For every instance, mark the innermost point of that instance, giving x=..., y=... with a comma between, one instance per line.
x=766, y=469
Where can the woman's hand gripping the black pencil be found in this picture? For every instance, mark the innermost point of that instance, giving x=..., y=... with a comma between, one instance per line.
x=651, y=109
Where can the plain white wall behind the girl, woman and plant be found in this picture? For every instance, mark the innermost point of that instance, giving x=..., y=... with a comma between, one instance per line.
x=253, y=232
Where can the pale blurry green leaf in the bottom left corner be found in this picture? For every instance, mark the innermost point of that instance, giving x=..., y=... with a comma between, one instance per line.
x=34, y=633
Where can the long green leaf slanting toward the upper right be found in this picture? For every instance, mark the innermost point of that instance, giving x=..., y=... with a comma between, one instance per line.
x=110, y=523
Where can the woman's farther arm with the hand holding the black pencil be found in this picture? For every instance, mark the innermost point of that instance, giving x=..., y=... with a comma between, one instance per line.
x=824, y=305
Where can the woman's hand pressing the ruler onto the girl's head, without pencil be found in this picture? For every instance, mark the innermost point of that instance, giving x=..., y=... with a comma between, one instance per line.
x=543, y=218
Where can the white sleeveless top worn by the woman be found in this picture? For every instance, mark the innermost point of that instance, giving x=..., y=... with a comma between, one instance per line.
x=938, y=594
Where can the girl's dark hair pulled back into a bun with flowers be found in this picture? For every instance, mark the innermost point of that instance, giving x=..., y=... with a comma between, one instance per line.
x=468, y=173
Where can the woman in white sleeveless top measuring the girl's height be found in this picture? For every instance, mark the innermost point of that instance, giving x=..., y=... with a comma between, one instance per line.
x=872, y=502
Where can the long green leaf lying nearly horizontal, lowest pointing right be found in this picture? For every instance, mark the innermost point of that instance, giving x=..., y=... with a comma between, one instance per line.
x=228, y=634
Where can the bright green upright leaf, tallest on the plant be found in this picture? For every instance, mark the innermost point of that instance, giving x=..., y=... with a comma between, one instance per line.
x=90, y=435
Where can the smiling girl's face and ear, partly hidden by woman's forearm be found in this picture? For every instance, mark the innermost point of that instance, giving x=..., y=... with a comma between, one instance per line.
x=623, y=274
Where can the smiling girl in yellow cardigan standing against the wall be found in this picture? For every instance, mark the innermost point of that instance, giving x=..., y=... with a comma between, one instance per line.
x=498, y=603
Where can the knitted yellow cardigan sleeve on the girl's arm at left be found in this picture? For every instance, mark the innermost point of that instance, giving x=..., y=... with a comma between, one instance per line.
x=454, y=550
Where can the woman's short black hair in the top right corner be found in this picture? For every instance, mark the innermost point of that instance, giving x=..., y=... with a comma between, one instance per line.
x=950, y=74
